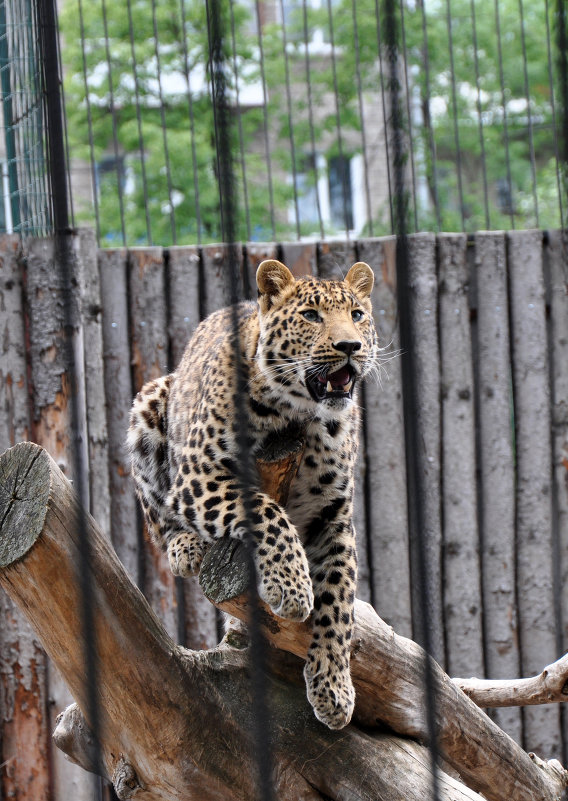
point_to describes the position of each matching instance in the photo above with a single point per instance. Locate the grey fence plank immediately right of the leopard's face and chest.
(384, 442)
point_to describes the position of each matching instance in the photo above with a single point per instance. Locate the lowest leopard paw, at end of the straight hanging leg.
(330, 692)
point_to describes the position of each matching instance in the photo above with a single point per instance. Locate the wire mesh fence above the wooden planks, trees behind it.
(482, 117)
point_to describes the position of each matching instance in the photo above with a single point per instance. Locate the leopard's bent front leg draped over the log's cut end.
(213, 501)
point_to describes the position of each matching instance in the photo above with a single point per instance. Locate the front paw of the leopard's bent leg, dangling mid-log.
(285, 584)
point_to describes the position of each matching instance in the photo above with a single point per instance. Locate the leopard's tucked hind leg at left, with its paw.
(147, 441)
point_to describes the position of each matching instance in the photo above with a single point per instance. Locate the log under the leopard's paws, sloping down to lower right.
(387, 672)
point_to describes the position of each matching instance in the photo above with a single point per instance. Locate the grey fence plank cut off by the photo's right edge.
(557, 268)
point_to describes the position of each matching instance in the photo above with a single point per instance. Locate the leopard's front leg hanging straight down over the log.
(334, 575)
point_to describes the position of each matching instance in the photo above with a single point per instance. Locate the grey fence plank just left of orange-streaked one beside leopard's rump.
(119, 390)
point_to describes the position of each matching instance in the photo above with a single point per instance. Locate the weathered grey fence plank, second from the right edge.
(534, 478)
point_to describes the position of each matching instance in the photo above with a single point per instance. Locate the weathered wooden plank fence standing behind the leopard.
(490, 321)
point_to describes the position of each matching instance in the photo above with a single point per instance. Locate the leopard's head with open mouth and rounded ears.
(317, 337)
